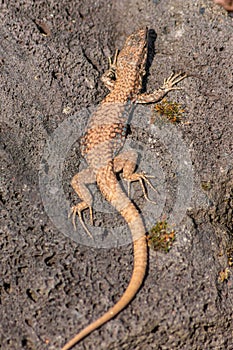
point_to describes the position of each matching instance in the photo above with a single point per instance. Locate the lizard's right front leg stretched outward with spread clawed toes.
(167, 86)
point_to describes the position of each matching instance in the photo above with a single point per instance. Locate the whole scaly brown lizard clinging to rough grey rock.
(101, 146)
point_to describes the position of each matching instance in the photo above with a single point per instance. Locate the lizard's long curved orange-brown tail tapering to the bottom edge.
(112, 191)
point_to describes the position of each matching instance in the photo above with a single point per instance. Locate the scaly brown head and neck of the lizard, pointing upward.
(132, 58)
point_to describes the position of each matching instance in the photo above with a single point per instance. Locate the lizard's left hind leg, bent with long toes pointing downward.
(79, 182)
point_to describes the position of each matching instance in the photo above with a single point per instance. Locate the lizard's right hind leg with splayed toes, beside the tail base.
(127, 161)
